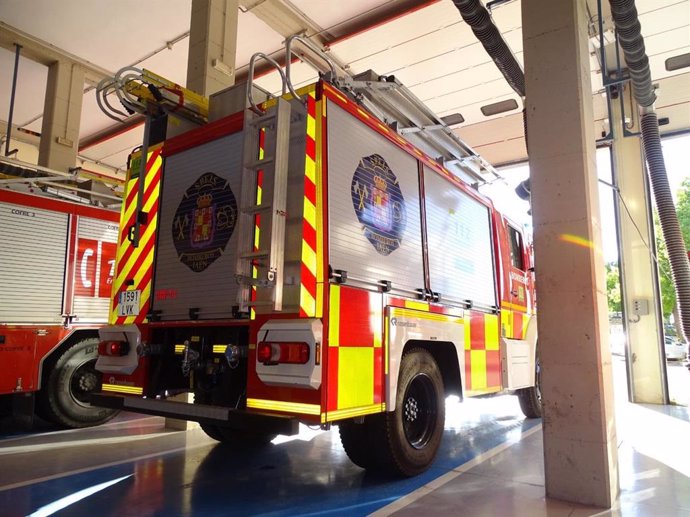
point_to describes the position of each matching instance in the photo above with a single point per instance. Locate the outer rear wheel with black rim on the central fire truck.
(413, 432)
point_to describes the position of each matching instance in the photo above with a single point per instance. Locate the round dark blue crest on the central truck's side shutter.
(379, 204)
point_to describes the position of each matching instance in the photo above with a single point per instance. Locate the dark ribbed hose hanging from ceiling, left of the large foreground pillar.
(478, 18)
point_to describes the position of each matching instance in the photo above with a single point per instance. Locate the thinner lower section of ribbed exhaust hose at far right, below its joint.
(670, 227)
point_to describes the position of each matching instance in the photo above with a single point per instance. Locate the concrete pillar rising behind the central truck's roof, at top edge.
(212, 45)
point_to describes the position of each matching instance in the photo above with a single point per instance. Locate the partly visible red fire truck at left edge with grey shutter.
(56, 270)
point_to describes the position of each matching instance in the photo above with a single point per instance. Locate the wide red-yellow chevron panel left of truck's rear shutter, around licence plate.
(136, 264)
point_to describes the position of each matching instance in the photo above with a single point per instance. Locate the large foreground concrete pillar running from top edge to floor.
(580, 452)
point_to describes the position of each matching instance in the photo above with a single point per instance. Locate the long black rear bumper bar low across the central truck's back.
(217, 415)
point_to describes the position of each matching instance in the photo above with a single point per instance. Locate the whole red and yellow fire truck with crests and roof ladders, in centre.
(305, 259)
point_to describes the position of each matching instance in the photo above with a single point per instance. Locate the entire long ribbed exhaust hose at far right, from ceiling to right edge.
(628, 28)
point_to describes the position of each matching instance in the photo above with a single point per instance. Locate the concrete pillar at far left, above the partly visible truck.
(61, 116)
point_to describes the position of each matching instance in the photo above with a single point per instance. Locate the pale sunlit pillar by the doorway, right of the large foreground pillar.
(639, 275)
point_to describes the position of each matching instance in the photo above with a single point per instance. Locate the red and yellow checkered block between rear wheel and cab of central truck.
(482, 353)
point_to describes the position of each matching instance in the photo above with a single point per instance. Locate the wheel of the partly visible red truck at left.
(62, 399)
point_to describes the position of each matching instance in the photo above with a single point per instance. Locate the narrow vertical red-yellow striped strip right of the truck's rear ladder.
(308, 276)
